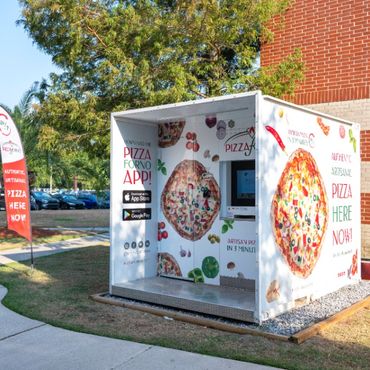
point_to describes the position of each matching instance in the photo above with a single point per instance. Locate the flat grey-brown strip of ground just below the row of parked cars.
(66, 218)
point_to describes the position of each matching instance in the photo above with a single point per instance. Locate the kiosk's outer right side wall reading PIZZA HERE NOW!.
(309, 206)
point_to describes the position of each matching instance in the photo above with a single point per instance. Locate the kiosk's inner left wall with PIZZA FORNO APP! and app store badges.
(133, 201)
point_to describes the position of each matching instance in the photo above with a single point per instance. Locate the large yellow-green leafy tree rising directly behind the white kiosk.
(119, 54)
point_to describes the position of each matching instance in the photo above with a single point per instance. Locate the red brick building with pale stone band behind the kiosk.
(334, 37)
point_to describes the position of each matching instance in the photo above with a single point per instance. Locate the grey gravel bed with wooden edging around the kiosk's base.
(290, 322)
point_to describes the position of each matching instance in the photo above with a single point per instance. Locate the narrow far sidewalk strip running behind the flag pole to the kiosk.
(39, 250)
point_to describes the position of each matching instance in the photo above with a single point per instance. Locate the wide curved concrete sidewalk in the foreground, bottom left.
(34, 345)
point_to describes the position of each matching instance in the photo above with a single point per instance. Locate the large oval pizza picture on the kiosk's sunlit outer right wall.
(300, 213)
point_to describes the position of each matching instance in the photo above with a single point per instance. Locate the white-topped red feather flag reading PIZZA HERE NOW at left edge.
(17, 196)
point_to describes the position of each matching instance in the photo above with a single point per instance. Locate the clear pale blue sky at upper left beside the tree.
(21, 62)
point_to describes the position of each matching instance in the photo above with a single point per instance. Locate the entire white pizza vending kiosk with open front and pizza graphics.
(240, 206)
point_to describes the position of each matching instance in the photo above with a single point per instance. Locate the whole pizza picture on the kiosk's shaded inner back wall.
(190, 199)
